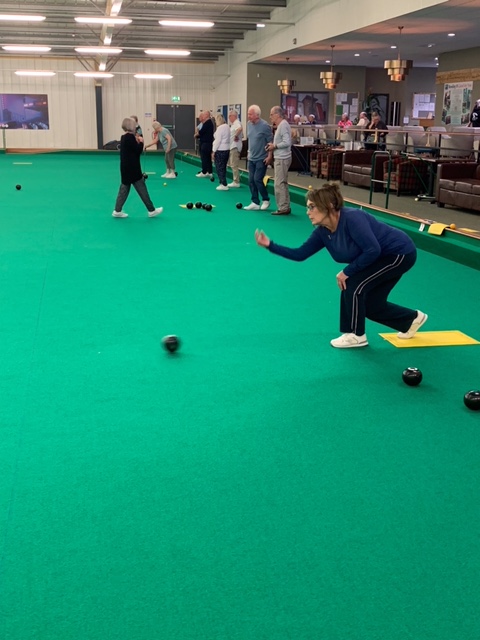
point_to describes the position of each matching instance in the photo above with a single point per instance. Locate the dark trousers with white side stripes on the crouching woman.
(367, 292)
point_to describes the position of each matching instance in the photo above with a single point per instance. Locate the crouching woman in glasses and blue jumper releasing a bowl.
(376, 254)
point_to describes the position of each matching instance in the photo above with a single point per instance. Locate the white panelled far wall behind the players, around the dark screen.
(71, 100)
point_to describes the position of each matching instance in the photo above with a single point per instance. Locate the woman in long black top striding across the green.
(131, 148)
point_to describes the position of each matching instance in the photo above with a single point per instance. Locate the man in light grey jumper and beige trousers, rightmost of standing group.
(282, 154)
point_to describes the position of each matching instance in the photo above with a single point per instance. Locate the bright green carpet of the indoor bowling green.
(257, 484)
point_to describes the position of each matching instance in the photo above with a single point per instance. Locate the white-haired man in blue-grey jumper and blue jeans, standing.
(259, 136)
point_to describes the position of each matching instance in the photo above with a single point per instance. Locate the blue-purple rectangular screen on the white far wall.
(20, 111)
